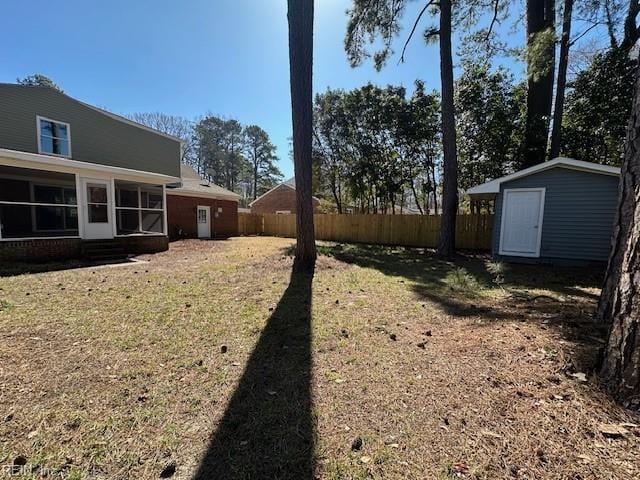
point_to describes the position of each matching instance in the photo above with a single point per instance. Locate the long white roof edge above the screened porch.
(38, 161)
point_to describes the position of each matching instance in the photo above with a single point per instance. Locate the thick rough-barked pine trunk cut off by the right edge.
(620, 299)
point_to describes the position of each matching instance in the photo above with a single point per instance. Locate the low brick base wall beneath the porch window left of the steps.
(40, 250)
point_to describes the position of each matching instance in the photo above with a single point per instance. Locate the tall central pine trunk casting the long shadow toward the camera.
(300, 16)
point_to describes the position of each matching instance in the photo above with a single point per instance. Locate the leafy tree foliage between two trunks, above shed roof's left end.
(490, 115)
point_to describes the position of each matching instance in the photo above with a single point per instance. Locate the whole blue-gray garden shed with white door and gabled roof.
(559, 212)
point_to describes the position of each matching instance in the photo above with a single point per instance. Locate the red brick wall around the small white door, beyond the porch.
(181, 215)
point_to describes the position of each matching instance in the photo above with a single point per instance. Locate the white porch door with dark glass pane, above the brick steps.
(97, 218)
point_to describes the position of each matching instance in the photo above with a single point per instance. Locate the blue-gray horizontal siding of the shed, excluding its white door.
(579, 212)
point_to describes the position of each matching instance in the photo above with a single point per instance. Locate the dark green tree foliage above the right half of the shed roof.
(597, 109)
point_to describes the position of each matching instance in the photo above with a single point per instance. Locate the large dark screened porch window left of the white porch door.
(34, 203)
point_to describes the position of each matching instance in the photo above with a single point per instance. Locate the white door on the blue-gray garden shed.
(521, 226)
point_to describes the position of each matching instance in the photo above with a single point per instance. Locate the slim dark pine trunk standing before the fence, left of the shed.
(447, 244)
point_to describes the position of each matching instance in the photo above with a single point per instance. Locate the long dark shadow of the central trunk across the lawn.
(267, 430)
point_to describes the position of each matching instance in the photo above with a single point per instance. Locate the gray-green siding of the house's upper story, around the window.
(95, 136)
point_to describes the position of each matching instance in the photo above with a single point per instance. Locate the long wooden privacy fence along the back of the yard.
(472, 231)
